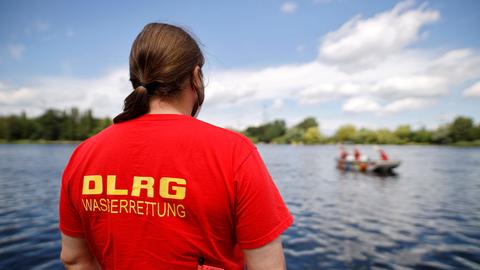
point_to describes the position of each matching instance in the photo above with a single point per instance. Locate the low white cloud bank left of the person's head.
(104, 95)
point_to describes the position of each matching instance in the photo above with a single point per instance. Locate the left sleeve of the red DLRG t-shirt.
(69, 219)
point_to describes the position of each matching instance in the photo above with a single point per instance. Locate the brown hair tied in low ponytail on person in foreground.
(162, 60)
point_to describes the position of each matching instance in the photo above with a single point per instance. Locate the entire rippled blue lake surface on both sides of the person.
(425, 217)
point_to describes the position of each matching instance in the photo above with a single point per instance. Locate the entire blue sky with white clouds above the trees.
(370, 63)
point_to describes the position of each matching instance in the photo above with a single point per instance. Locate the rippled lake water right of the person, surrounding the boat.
(426, 216)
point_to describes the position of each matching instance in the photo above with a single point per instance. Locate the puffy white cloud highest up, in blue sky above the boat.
(364, 41)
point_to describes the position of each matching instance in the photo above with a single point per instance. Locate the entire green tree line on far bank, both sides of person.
(74, 125)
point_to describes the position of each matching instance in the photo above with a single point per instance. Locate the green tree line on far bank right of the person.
(461, 131)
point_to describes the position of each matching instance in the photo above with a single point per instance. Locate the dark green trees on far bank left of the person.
(52, 125)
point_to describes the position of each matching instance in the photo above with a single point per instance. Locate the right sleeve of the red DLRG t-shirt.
(260, 212)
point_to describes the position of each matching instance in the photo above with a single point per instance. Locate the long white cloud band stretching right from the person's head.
(317, 82)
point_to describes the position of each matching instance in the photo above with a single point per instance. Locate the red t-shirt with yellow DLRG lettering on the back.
(161, 190)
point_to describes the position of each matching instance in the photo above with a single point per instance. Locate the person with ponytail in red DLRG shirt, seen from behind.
(161, 189)
